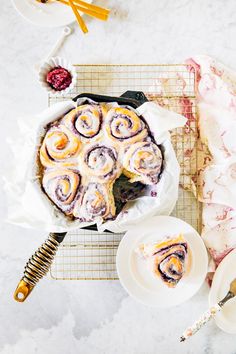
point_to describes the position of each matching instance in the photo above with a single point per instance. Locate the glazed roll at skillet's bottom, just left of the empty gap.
(95, 202)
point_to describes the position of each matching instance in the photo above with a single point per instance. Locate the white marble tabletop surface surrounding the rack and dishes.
(99, 317)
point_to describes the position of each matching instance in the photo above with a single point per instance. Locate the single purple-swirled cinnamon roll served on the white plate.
(170, 259)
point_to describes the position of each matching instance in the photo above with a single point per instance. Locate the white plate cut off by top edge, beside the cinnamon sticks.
(45, 15)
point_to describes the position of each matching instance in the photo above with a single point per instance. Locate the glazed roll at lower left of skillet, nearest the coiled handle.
(61, 186)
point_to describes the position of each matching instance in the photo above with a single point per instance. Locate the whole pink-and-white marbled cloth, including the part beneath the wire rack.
(215, 168)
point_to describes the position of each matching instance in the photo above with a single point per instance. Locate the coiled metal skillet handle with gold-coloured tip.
(38, 265)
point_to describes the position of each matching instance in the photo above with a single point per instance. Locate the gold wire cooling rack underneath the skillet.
(89, 255)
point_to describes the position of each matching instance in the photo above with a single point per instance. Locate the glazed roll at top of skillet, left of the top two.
(85, 120)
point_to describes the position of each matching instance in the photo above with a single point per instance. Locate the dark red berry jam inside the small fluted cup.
(59, 78)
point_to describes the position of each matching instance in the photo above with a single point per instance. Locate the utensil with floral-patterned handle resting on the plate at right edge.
(208, 315)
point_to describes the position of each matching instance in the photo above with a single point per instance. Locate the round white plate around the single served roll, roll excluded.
(137, 279)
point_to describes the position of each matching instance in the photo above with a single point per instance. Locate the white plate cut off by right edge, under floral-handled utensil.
(225, 273)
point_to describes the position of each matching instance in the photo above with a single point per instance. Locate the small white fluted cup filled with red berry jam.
(57, 76)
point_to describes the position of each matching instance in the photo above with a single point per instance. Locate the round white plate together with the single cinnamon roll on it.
(158, 270)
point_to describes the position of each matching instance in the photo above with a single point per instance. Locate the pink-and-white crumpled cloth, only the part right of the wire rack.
(216, 95)
